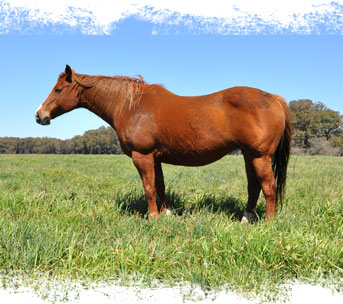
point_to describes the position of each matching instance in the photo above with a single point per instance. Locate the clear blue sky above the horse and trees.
(190, 57)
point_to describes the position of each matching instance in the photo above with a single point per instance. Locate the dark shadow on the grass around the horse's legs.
(232, 207)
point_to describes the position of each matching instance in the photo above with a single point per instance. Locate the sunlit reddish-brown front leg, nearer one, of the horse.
(145, 164)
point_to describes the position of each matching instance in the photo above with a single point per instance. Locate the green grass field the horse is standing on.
(82, 217)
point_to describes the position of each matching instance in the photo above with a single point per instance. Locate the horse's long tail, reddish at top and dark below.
(281, 156)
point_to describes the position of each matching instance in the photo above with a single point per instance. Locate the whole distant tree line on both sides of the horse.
(316, 130)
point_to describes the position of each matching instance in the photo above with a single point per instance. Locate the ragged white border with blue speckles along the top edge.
(238, 16)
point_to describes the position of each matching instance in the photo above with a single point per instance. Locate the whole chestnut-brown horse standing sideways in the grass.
(155, 126)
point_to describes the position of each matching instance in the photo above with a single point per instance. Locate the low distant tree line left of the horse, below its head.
(100, 141)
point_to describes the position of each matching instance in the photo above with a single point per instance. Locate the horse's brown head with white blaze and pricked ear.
(64, 97)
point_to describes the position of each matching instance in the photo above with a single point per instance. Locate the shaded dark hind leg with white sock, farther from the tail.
(254, 189)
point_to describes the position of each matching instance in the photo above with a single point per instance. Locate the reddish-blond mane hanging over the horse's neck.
(112, 89)
